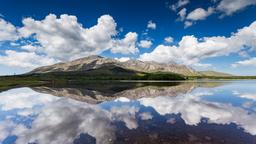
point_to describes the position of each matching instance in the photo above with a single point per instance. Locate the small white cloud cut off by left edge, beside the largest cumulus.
(8, 31)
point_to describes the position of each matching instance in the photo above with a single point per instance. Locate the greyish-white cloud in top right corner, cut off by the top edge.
(228, 7)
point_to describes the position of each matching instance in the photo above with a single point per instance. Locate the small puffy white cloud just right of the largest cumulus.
(127, 45)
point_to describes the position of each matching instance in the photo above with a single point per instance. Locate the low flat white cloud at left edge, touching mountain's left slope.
(27, 60)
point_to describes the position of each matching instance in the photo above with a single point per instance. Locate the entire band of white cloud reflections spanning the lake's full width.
(63, 120)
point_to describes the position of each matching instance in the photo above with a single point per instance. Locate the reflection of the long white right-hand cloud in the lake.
(192, 109)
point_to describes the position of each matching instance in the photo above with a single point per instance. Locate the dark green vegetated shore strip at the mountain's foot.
(63, 78)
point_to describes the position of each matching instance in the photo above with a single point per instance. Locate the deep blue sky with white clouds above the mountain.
(215, 35)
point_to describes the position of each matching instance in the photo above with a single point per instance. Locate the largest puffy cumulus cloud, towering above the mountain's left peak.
(65, 38)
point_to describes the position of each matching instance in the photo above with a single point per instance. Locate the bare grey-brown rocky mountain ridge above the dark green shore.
(97, 62)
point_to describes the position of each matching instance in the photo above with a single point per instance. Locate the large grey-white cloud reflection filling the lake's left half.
(57, 115)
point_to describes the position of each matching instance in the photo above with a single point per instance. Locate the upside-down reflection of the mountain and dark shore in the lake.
(97, 92)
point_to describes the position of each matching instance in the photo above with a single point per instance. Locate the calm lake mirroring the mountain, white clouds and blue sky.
(202, 112)
